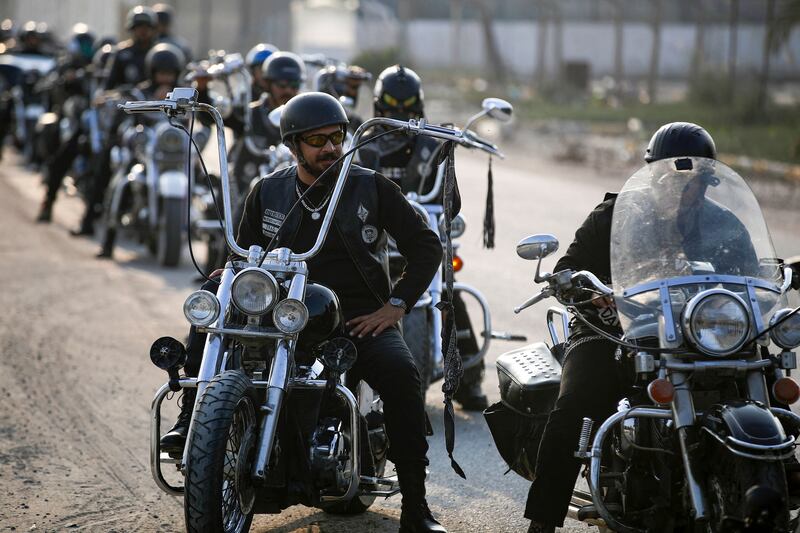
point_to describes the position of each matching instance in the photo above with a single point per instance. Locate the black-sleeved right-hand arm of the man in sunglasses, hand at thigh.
(415, 241)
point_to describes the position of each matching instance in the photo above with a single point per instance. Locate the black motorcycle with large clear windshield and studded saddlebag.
(701, 442)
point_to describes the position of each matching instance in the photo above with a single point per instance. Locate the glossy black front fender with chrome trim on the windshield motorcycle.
(748, 429)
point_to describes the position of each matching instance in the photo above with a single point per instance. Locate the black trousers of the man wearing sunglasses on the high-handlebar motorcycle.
(386, 364)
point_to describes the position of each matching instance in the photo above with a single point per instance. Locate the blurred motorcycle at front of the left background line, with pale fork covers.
(147, 196)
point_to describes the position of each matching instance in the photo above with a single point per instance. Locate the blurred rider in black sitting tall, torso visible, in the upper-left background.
(127, 65)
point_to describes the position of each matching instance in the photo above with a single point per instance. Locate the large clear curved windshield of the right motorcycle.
(681, 226)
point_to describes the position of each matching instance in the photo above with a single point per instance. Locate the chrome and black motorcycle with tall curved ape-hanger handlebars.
(277, 421)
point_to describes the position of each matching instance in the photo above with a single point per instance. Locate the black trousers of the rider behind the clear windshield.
(590, 387)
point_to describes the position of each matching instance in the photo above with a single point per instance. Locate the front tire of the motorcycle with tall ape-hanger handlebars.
(218, 492)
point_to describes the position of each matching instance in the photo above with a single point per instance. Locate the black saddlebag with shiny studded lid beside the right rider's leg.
(529, 382)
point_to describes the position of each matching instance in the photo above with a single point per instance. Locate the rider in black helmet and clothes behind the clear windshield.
(590, 384)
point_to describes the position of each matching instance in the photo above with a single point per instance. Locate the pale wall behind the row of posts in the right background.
(431, 44)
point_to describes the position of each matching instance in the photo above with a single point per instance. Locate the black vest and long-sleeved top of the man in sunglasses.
(370, 208)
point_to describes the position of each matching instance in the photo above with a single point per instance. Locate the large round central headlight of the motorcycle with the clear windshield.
(716, 322)
